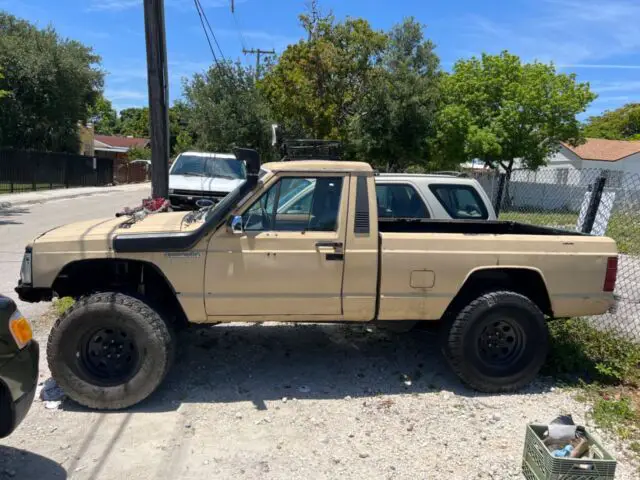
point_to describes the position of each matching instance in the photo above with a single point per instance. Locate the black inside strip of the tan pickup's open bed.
(471, 227)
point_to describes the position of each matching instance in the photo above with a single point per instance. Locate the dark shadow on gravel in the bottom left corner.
(16, 463)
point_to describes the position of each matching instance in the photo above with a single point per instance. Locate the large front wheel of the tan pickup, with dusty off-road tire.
(109, 351)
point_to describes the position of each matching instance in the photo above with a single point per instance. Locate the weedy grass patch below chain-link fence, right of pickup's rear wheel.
(606, 367)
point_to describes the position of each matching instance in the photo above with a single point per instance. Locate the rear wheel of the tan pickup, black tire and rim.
(498, 342)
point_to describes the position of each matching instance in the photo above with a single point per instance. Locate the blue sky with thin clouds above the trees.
(598, 40)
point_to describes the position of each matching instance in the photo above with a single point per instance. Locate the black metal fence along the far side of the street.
(22, 171)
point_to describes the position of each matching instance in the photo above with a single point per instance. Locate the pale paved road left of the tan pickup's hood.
(21, 224)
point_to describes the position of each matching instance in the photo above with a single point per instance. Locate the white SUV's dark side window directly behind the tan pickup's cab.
(399, 200)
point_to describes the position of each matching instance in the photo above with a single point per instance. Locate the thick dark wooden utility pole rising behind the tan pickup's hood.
(158, 81)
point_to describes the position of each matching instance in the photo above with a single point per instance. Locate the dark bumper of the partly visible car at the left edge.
(20, 377)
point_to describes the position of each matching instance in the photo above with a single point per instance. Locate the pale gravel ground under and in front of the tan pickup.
(279, 402)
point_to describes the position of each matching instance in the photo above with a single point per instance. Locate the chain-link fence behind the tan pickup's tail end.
(600, 202)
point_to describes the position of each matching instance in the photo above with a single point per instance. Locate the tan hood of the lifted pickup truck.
(96, 235)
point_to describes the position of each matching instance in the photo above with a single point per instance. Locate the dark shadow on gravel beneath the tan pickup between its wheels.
(259, 363)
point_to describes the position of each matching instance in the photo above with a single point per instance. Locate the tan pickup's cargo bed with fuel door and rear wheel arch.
(423, 264)
